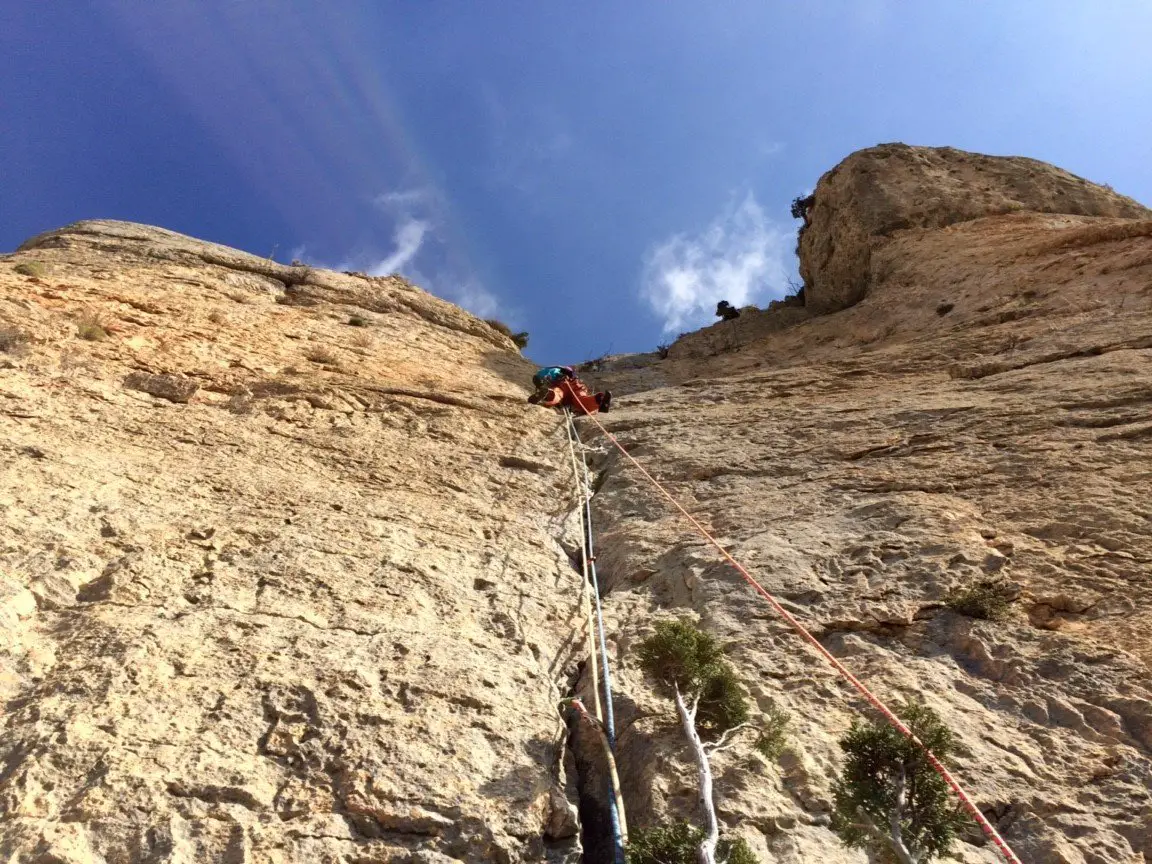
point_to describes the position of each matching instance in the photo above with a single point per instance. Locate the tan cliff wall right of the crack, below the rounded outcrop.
(984, 413)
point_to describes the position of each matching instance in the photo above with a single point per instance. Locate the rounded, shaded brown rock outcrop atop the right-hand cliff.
(878, 192)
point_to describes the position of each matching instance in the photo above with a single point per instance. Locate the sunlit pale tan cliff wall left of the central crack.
(313, 615)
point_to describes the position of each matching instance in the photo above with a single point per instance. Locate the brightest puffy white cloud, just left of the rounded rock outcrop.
(740, 257)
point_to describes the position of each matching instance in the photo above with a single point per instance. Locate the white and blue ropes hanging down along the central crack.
(609, 729)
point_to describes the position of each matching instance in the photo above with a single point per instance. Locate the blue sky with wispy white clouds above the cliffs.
(600, 175)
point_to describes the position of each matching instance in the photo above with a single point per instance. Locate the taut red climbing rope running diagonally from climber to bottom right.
(873, 699)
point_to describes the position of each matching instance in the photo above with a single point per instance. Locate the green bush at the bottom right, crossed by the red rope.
(890, 800)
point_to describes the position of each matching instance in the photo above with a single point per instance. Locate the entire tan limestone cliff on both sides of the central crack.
(325, 610)
